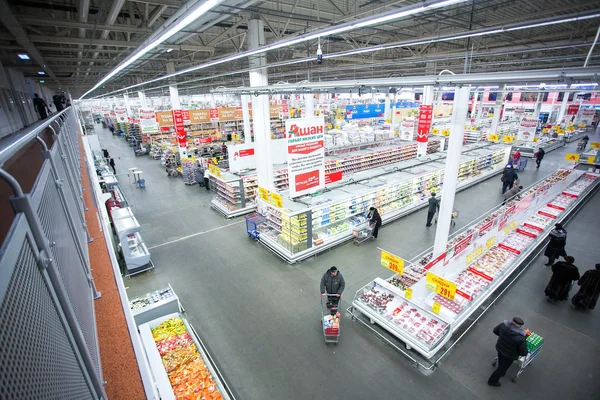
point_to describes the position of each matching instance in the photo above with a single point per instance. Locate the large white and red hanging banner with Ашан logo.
(306, 155)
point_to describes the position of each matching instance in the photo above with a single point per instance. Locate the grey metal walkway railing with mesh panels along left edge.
(48, 336)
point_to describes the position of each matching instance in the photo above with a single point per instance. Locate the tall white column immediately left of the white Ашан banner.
(260, 106)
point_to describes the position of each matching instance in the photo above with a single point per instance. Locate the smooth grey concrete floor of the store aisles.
(260, 317)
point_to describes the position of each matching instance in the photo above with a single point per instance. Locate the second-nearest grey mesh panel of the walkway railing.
(72, 272)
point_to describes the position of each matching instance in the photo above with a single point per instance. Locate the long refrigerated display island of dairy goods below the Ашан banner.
(336, 214)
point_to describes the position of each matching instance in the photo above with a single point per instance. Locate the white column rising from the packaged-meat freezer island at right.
(459, 117)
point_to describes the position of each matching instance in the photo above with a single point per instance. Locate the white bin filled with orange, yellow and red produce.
(192, 374)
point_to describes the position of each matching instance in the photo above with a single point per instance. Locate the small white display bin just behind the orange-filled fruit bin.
(154, 305)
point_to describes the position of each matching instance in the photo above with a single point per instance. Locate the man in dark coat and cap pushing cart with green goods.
(510, 345)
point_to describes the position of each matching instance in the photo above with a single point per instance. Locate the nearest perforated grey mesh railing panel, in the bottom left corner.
(37, 360)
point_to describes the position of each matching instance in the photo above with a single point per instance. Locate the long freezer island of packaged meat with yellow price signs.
(478, 260)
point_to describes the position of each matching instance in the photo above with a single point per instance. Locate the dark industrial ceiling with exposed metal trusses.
(80, 41)
